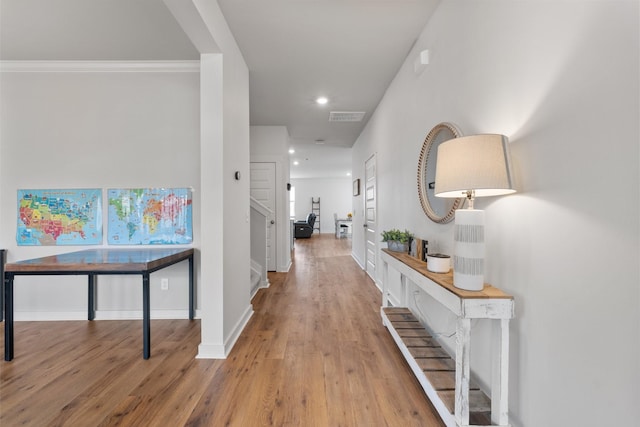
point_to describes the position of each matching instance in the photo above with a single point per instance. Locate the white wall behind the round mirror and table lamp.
(561, 80)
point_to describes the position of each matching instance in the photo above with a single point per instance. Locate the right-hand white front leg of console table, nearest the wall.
(500, 380)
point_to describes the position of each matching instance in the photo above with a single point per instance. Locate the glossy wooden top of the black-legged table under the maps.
(102, 261)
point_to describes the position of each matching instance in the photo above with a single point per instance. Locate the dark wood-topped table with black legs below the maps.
(94, 262)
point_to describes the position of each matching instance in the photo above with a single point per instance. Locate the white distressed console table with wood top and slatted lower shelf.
(447, 382)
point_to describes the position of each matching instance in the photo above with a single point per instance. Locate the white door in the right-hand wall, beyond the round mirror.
(370, 216)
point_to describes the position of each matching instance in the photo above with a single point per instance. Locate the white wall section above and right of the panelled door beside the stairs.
(270, 144)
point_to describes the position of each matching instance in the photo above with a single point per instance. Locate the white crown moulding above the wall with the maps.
(190, 66)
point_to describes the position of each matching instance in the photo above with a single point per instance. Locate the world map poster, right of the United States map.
(150, 216)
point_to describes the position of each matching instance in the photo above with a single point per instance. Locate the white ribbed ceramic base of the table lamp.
(468, 249)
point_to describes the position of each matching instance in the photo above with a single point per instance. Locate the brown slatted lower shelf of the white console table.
(432, 366)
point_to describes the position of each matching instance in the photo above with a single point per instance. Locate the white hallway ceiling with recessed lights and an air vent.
(346, 50)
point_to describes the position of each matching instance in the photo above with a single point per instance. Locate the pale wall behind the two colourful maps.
(96, 130)
